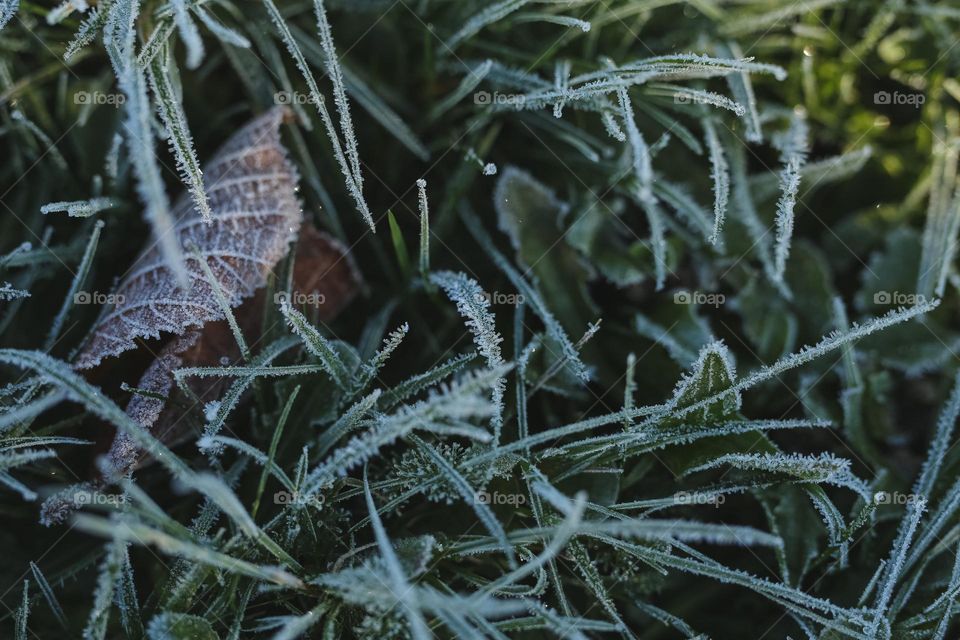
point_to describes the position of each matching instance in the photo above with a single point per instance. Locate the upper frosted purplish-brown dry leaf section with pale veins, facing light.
(252, 191)
